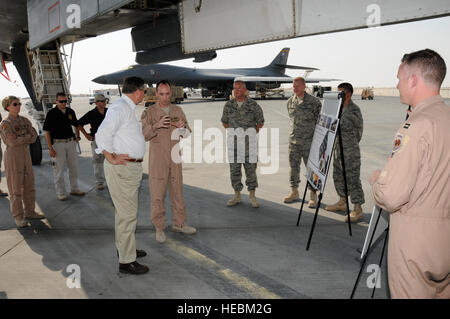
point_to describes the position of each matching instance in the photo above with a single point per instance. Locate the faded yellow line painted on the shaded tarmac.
(236, 279)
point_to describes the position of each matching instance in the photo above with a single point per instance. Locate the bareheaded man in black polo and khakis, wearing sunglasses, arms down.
(62, 142)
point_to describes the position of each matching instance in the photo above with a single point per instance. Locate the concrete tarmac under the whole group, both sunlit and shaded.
(238, 252)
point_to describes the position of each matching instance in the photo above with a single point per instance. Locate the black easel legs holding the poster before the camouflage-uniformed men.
(341, 96)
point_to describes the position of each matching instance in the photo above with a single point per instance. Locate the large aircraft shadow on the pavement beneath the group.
(260, 245)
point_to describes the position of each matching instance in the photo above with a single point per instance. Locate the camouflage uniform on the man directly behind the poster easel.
(351, 124)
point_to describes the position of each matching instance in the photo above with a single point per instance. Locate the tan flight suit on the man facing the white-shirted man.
(162, 170)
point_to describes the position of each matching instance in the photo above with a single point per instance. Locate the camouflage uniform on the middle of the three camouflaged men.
(303, 116)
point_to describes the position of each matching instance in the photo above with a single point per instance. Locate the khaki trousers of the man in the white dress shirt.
(123, 184)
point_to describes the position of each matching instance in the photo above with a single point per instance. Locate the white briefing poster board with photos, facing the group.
(323, 141)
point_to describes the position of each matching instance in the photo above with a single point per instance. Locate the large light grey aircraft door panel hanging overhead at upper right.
(216, 24)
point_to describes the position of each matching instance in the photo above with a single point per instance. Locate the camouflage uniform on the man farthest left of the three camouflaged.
(247, 116)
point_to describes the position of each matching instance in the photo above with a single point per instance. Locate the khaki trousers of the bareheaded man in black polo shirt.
(66, 154)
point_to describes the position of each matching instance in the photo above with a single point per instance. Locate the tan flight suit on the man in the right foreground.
(414, 186)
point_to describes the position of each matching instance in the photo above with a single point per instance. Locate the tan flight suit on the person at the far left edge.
(18, 133)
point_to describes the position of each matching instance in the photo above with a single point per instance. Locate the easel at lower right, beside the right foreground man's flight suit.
(374, 233)
